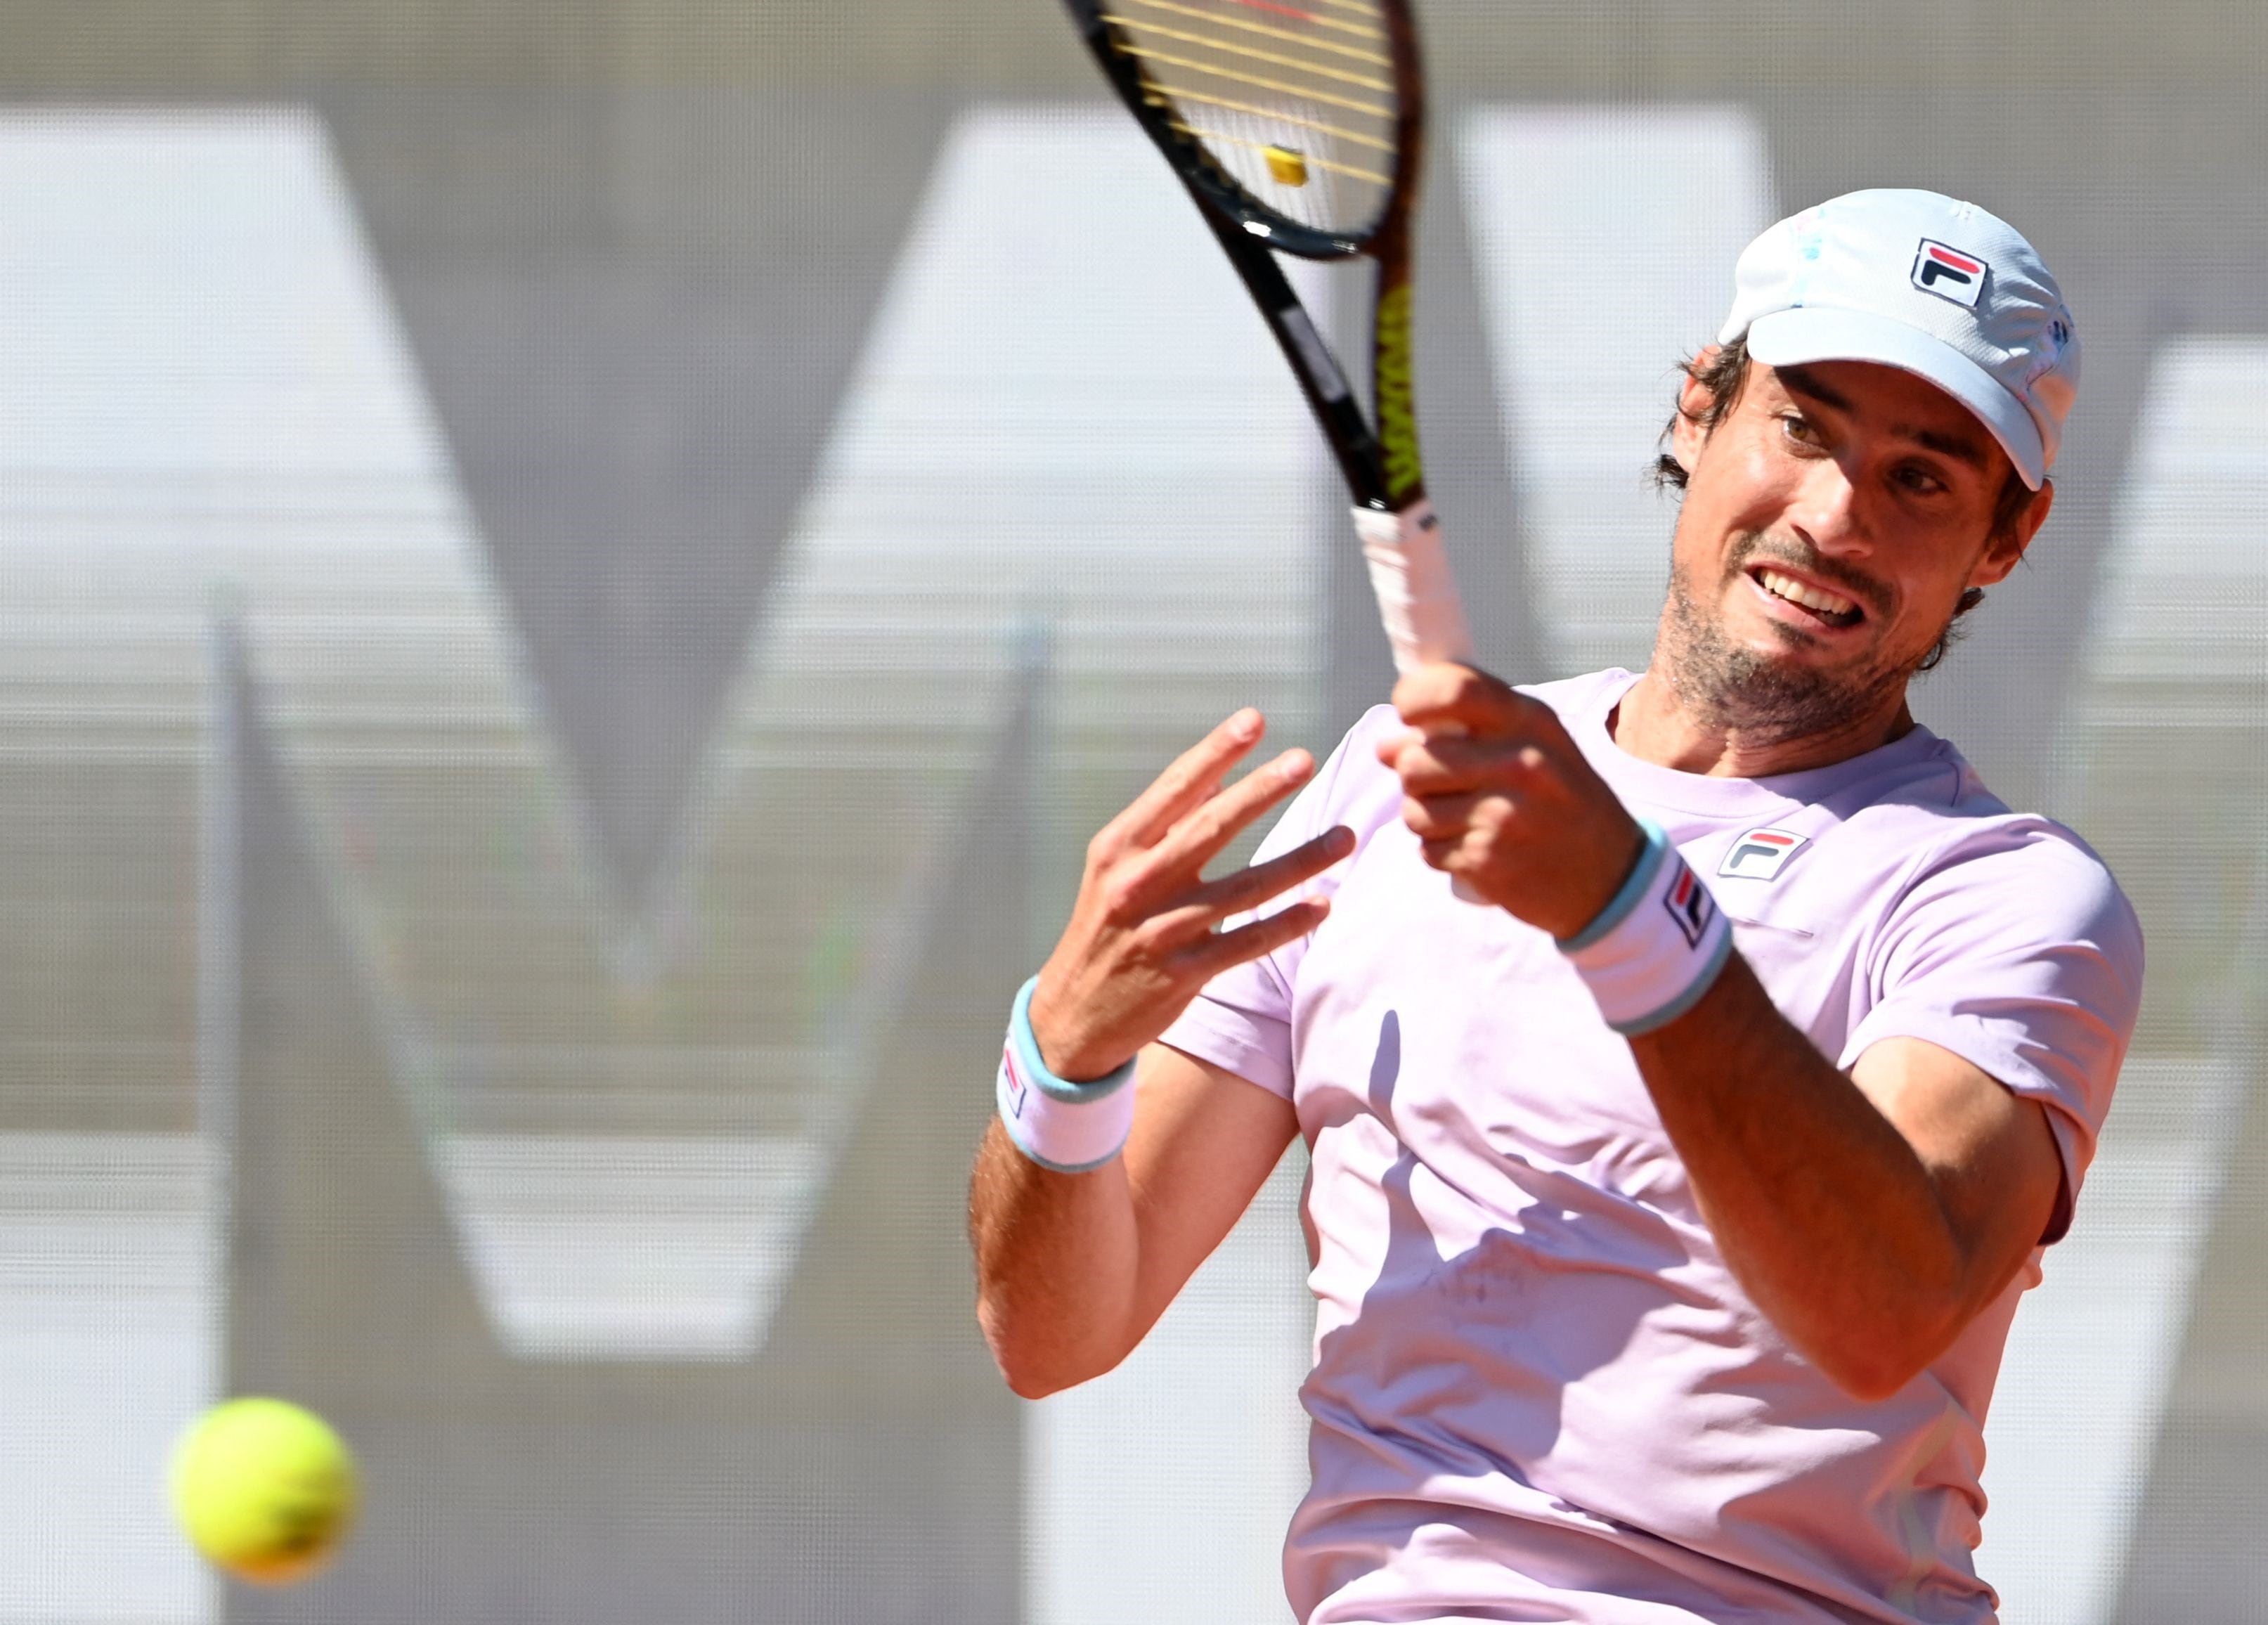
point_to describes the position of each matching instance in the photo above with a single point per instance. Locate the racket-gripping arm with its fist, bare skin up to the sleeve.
(1875, 1213)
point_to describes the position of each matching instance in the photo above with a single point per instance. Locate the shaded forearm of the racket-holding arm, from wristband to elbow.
(1820, 1204)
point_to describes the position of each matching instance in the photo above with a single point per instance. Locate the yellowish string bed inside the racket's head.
(1292, 99)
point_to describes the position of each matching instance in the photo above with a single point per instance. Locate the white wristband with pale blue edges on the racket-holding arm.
(1659, 943)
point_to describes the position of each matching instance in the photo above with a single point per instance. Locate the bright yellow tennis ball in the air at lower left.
(264, 1490)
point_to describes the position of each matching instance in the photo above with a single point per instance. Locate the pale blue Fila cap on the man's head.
(1927, 285)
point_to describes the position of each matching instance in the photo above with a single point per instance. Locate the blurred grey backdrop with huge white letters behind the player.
(652, 725)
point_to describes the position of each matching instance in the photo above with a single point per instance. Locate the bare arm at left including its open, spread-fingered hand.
(1076, 1268)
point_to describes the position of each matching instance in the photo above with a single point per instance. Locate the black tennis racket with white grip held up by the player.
(1298, 126)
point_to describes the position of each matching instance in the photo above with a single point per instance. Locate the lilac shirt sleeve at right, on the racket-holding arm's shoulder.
(2026, 961)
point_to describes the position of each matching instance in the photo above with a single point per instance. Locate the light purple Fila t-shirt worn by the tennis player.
(1539, 1392)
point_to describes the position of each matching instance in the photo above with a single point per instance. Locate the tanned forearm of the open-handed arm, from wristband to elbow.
(1056, 1265)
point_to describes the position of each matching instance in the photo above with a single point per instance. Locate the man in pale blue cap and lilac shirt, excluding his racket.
(1693, 1066)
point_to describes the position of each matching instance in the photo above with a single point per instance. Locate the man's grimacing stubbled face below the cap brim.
(1829, 530)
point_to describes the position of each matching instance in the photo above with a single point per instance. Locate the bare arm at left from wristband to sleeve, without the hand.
(1074, 1270)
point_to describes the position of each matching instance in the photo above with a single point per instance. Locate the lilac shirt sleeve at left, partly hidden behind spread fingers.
(1242, 1022)
